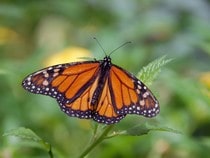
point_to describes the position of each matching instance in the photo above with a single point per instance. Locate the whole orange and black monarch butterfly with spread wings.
(97, 90)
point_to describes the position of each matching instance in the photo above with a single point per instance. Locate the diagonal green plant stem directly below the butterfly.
(96, 141)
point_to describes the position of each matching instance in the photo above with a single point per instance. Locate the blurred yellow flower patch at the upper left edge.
(7, 35)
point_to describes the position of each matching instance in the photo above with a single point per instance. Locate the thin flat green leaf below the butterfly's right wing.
(145, 129)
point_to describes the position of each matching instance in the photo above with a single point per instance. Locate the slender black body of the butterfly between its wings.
(105, 66)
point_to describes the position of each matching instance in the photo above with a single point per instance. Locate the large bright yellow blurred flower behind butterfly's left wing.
(67, 55)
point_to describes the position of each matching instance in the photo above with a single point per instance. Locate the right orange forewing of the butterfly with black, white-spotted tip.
(130, 96)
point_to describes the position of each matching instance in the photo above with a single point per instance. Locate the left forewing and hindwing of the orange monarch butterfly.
(71, 84)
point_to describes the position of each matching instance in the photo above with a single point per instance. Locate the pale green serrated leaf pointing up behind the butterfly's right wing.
(149, 73)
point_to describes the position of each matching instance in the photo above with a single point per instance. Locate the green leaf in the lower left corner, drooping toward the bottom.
(29, 135)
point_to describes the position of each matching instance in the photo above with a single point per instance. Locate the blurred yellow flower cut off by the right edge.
(205, 80)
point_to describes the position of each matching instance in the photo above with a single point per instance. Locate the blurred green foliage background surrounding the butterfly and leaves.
(33, 31)
